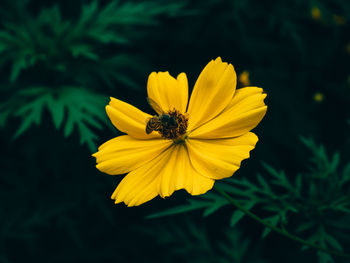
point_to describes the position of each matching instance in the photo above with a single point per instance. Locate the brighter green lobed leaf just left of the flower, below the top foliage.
(84, 110)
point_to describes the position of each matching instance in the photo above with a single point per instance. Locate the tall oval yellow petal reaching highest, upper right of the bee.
(212, 92)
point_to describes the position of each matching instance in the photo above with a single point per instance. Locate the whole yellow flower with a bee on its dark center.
(191, 143)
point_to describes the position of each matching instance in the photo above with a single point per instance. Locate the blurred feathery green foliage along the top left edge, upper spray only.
(64, 46)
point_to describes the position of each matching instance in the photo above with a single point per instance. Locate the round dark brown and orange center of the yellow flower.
(173, 125)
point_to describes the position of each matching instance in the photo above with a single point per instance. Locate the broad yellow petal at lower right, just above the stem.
(220, 158)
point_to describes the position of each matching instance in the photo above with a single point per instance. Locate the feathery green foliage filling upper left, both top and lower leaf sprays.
(68, 59)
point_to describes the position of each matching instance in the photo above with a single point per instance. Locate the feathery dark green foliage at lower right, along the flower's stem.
(313, 204)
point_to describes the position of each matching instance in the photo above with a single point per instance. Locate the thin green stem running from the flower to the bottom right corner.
(279, 230)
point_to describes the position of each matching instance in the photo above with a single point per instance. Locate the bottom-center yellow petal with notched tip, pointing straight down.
(180, 174)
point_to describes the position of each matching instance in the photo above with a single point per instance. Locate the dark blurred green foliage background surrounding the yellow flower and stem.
(60, 61)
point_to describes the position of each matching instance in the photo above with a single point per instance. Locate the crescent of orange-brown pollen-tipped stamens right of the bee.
(177, 132)
